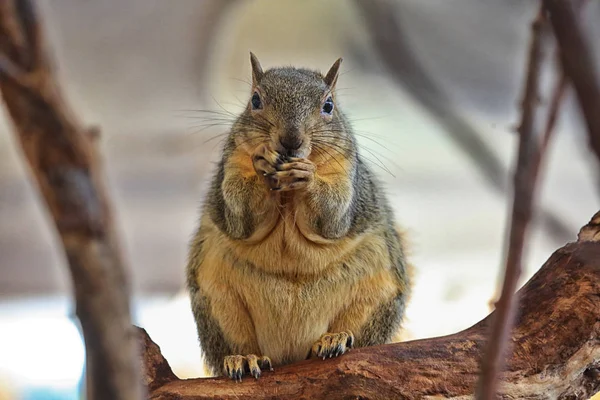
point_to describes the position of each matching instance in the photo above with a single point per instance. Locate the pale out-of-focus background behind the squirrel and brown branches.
(432, 88)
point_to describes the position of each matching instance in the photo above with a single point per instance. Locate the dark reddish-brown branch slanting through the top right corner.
(578, 63)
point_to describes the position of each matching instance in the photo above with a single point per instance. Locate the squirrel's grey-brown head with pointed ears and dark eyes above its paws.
(294, 109)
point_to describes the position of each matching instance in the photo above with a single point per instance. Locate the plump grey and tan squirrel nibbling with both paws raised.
(296, 254)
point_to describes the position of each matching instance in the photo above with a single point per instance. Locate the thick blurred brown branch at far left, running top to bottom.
(61, 156)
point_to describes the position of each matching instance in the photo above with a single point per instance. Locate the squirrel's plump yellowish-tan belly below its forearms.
(281, 314)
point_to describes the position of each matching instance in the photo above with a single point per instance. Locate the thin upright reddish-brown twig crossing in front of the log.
(524, 189)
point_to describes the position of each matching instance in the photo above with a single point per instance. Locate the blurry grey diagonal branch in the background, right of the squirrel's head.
(391, 43)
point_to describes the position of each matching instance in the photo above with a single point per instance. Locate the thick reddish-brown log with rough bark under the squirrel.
(555, 350)
